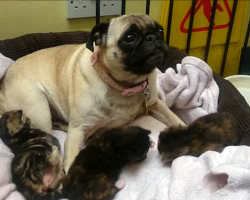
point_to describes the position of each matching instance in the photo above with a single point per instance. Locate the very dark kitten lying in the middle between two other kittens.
(95, 171)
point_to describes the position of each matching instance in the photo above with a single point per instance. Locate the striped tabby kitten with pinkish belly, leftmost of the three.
(37, 164)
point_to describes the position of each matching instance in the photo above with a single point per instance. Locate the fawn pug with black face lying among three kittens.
(106, 82)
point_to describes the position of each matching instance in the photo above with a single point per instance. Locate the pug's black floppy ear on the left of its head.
(98, 35)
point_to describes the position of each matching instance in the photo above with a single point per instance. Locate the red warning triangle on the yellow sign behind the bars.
(206, 7)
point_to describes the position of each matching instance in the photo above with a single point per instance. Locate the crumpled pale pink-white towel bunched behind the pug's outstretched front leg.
(191, 92)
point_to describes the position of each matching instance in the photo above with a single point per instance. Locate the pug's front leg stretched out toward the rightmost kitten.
(160, 111)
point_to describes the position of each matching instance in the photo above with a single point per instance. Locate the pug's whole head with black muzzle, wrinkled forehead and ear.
(130, 43)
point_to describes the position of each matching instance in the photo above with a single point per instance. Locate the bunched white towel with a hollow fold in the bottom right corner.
(212, 176)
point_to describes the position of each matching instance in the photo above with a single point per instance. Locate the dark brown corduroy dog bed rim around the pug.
(230, 100)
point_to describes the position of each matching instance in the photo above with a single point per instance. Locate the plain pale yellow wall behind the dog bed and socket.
(23, 17)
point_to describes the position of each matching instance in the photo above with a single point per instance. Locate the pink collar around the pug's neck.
(110, 81)
